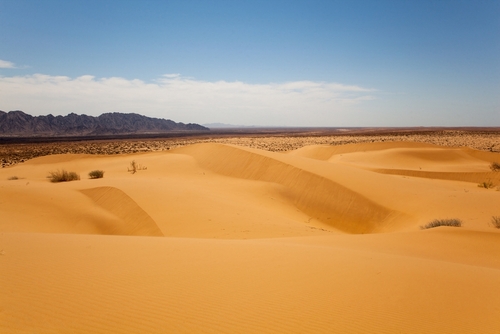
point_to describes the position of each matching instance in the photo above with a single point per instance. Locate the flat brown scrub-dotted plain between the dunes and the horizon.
(12, 154)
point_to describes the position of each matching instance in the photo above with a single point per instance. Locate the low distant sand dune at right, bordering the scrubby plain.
(413, 159)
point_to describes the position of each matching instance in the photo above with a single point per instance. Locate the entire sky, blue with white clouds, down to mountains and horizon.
(281, 63)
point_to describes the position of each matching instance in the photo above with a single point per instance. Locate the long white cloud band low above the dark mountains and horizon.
(299, 103)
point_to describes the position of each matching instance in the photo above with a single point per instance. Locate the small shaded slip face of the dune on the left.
(133, 219)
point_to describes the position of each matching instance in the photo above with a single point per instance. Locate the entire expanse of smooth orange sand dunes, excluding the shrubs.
(214, 238)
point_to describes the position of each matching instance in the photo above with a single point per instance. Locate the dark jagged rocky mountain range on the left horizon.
(19, 124)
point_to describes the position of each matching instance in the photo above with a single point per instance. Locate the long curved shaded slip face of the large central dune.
(317, 196)
